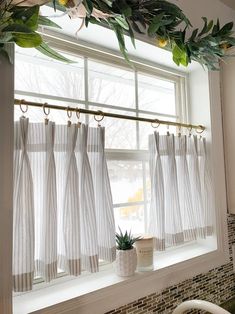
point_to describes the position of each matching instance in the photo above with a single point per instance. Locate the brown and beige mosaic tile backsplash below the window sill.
(217, 286)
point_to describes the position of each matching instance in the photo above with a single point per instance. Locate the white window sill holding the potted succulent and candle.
(88, 292)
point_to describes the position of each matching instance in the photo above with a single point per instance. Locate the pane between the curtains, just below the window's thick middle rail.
(126, 179)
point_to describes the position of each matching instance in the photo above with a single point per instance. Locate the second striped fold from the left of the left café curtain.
(42, 161)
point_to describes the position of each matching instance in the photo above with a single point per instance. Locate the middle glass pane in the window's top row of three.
(111, 85)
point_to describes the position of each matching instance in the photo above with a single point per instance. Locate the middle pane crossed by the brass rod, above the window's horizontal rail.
(119, 133)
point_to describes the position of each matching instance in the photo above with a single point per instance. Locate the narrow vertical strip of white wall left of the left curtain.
(6, 183)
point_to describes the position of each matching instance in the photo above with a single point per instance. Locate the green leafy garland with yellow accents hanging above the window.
(159, 19)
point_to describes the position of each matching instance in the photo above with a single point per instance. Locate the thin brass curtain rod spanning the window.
(199, 128)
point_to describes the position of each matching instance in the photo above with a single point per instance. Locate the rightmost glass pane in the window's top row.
(156, 95)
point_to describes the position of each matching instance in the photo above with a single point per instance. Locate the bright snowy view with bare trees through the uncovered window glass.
(94, 85)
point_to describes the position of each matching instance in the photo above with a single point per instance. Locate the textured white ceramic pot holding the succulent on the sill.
(126, 262)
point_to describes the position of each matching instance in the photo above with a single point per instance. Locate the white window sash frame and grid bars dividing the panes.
(181, 113)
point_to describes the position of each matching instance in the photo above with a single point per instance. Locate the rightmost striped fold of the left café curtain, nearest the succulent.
(103, 196)
